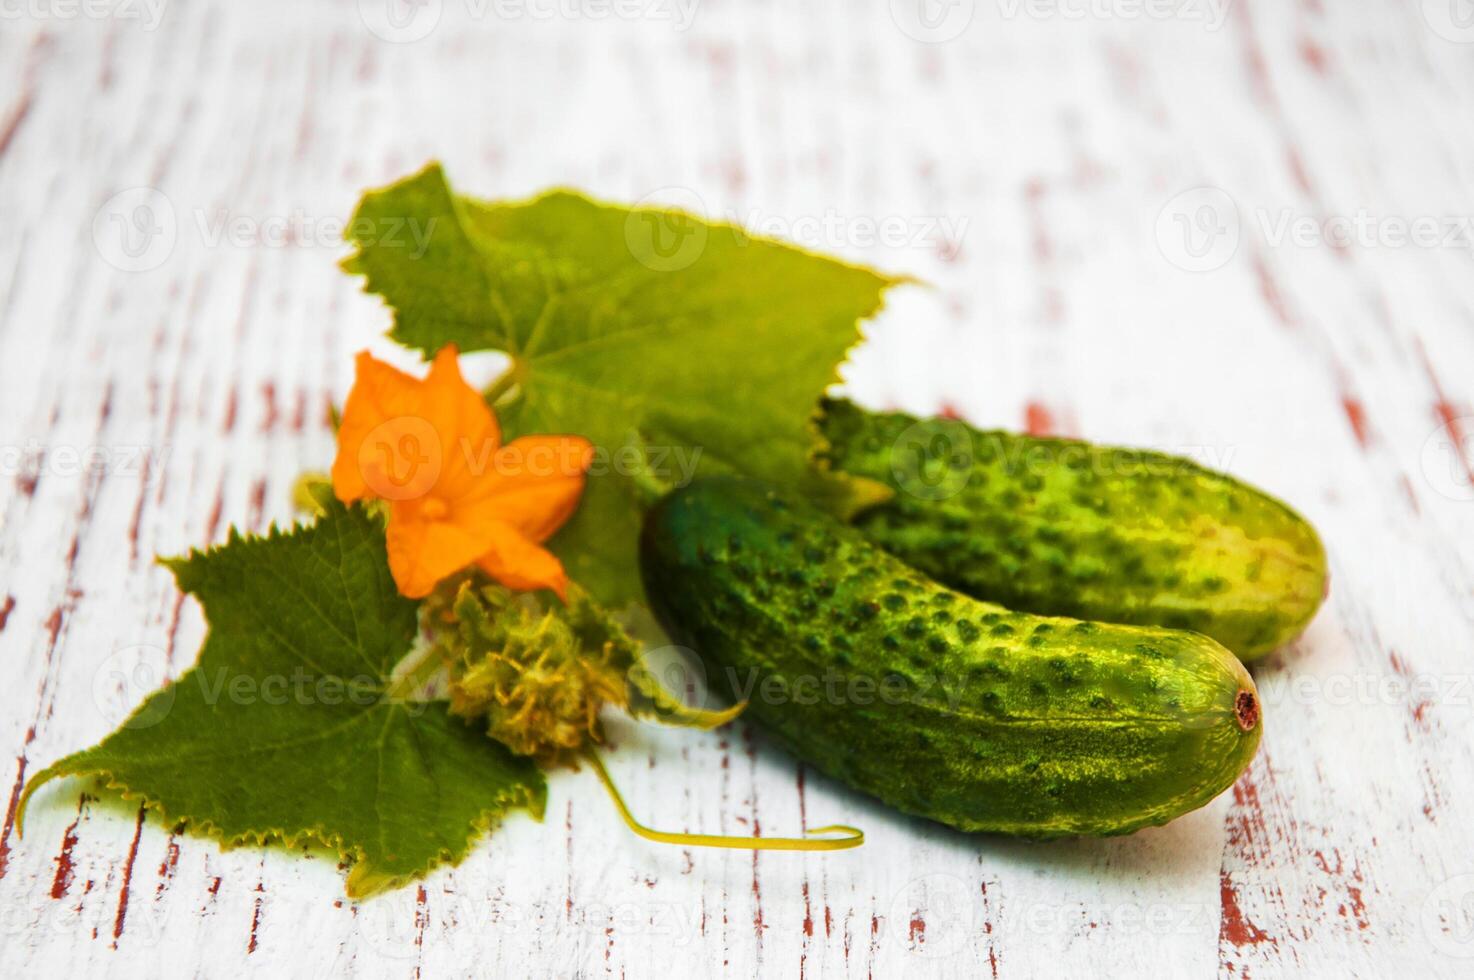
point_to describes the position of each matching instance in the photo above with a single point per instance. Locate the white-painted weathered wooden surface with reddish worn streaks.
(1028, 160)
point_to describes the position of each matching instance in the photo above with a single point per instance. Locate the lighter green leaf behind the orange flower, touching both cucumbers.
(615, 318)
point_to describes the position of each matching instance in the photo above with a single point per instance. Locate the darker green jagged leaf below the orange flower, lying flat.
(282, 732)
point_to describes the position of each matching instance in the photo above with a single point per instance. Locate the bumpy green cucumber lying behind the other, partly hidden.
(1066, 528)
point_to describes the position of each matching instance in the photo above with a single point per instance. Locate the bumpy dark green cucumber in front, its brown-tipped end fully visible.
(938, 704)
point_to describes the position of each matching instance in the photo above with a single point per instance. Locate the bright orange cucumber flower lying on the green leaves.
(456, 494)
